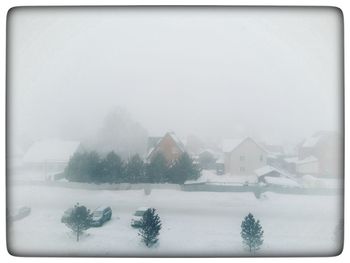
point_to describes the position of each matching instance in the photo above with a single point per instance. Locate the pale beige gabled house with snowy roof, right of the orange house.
(243, 156)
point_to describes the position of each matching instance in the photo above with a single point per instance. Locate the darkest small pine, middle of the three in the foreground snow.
(150, 227)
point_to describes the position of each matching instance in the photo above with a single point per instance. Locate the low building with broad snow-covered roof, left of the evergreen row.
(49, 157)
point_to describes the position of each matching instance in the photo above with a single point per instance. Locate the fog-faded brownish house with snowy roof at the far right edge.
(326, 147)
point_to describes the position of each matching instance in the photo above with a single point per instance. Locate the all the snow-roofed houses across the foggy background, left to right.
(320, 155)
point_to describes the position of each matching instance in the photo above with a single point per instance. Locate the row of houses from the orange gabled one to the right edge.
(319, 156)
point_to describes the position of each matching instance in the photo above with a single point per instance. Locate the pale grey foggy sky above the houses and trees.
(215, 72)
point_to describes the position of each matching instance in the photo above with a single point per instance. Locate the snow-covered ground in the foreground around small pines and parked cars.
(194, 223)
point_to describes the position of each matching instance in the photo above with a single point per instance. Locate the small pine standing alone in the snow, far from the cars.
(252, 233)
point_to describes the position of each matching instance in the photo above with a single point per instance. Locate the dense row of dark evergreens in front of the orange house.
(91, 167)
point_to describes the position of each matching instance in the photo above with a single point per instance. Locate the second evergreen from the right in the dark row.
(157, 169)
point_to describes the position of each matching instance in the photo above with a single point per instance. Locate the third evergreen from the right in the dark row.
(135, 170)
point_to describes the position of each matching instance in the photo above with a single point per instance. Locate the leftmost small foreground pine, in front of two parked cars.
(79, 220)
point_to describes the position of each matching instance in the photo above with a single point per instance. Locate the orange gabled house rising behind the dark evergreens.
(169, 145)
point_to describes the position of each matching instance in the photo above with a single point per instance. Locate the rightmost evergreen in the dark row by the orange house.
(182, 170)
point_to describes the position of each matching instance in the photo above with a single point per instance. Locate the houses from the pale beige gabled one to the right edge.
(320, 155)
